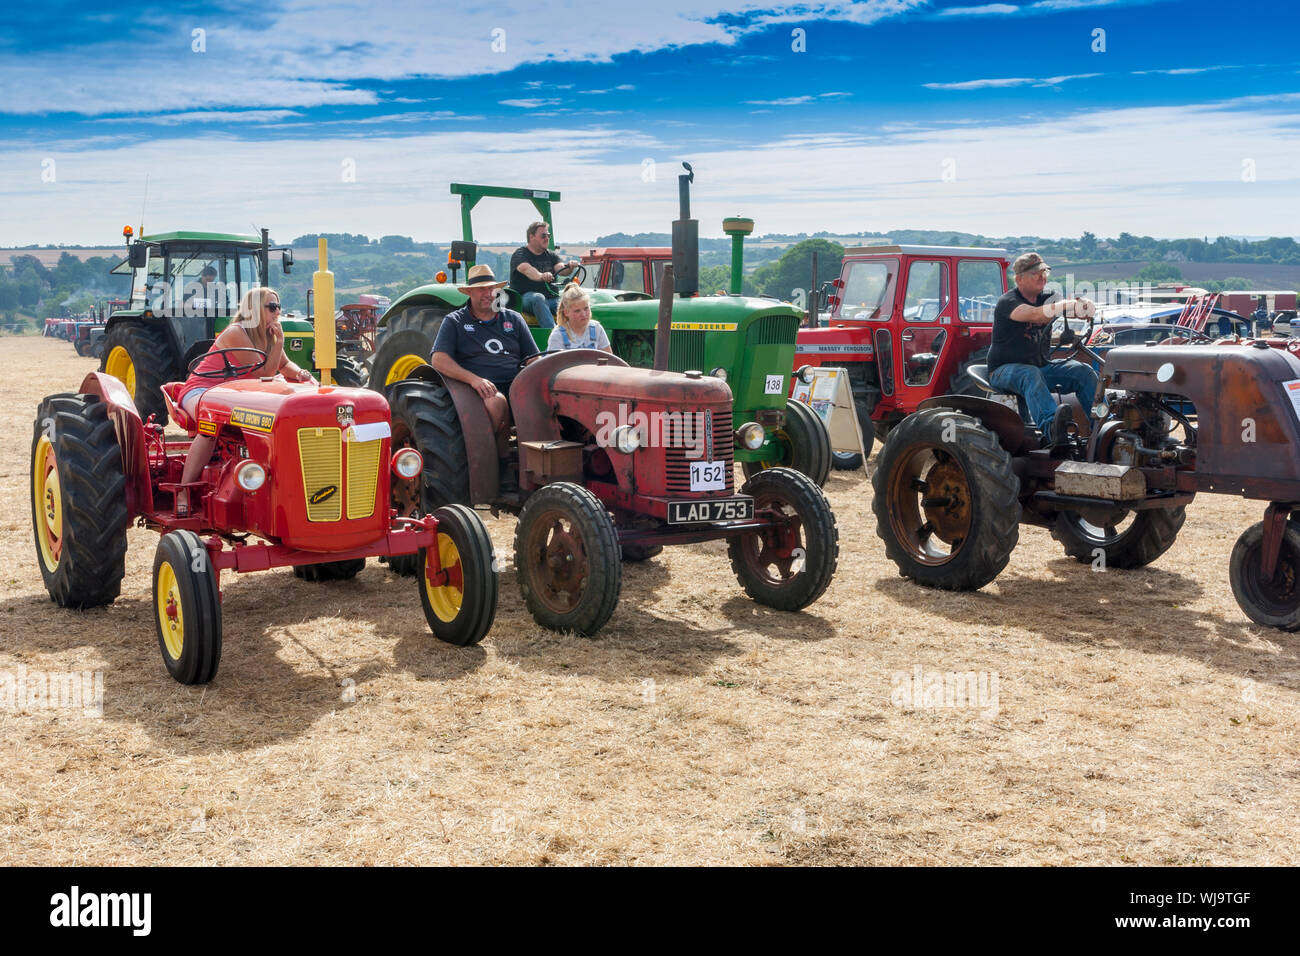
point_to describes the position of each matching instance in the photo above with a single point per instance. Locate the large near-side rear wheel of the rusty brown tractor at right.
(947, 501)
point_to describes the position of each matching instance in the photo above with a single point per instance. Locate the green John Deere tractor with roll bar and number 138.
(749, 343)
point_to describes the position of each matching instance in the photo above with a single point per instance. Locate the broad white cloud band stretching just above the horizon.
(1104, 178)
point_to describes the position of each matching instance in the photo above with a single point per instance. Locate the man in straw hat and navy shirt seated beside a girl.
(483, 347)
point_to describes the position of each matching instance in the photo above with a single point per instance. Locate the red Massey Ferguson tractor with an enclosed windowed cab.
(907, 322)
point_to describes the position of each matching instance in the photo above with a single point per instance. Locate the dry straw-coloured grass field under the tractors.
(1139, 717)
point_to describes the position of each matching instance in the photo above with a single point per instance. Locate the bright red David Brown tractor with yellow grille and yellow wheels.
(300, 477)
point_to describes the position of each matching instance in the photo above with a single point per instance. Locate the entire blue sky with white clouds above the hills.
(1047, 118)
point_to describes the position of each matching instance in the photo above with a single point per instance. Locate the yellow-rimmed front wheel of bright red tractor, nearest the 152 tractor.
(461, 611)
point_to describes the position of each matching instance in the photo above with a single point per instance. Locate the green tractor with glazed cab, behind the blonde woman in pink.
(185, 287)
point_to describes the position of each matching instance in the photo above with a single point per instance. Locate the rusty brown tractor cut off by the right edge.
(955, 479)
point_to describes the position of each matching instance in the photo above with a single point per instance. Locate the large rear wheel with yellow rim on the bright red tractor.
(79, 501)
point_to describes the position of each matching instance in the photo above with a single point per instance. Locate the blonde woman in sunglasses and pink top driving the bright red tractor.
(255, 326)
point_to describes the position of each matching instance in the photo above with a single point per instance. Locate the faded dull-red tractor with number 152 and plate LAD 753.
(610, 461)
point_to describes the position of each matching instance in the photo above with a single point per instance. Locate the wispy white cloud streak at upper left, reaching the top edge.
(255, 66)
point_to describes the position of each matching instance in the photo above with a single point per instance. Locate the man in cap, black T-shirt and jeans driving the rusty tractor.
(1019, 356)
